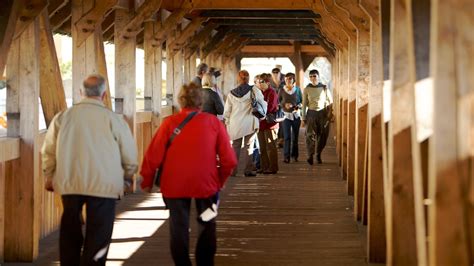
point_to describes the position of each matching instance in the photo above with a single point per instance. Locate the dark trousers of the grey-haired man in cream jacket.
(100, 215)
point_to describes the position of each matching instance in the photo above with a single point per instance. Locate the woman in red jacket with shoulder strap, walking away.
(191, 170)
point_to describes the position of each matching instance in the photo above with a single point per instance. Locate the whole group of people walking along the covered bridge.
(89, 150)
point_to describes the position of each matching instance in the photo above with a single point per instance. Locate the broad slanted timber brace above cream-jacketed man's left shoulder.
(52, 95)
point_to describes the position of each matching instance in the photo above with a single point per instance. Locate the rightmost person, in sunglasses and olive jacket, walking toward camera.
(317, 101)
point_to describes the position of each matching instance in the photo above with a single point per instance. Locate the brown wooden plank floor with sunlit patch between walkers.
(301, 216)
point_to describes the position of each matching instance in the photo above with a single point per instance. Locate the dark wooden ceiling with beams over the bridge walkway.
(249, 21)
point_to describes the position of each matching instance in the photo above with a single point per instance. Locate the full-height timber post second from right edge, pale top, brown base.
(408, 223)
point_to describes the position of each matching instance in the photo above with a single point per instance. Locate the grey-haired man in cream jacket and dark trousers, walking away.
(87, 152)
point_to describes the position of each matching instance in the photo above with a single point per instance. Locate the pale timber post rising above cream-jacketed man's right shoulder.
(125, 86)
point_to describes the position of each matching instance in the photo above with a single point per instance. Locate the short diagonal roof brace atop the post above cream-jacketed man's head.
(89, 21)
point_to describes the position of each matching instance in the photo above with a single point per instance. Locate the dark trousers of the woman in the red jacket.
(179, 231)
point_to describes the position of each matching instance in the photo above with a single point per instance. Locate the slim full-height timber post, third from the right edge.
(376, 240)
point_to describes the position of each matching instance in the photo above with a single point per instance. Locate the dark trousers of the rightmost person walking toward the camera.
(317, 130)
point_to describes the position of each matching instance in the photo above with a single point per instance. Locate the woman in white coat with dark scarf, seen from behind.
(242, 126)
